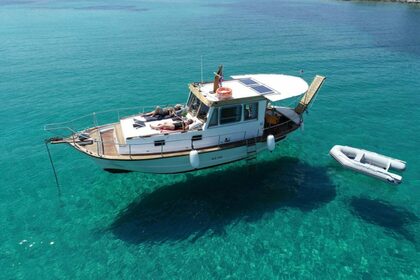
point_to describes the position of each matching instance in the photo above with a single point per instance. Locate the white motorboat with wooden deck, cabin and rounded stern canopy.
(219, 123)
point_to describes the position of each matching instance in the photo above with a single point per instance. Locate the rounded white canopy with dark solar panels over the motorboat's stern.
(274, 87)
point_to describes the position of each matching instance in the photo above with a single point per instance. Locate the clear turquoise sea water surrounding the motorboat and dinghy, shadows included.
(295, 214)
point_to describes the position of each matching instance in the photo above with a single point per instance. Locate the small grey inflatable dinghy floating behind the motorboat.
(368, 163)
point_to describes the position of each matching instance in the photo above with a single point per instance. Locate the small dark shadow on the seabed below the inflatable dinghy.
(393, 219)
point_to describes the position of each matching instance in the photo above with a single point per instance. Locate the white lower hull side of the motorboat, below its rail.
(179, 164)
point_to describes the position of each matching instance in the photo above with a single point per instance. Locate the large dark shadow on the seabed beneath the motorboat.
(208, 203)
